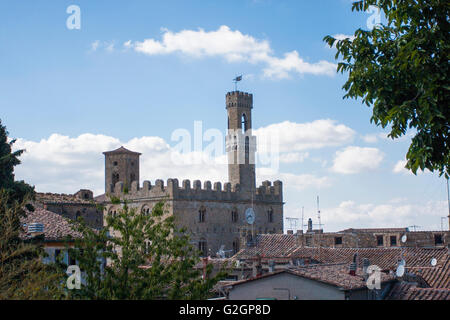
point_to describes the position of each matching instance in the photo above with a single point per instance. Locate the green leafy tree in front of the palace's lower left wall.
(130, 241)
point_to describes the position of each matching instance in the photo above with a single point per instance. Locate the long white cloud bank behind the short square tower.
(64, 164)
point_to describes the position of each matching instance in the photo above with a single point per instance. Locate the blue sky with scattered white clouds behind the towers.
(138, 70)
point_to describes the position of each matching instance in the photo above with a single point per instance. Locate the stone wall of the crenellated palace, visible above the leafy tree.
(185, 202)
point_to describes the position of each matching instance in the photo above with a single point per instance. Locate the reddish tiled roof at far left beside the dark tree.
(56, 227)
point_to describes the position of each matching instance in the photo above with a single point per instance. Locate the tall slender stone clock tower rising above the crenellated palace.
(240, 143)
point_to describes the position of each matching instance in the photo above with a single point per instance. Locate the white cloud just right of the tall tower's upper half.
(292, 136)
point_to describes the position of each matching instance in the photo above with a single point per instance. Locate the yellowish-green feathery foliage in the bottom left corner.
(22, 273)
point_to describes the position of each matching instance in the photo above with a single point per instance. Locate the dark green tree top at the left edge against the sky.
(18, 190)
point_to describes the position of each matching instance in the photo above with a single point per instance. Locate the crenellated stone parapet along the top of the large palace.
(173, 191)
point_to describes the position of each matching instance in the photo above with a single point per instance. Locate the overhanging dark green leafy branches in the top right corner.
(401, 69)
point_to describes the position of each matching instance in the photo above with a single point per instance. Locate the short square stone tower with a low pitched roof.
(121, 165)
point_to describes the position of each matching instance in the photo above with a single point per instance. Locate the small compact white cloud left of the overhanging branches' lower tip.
(356, 159)
